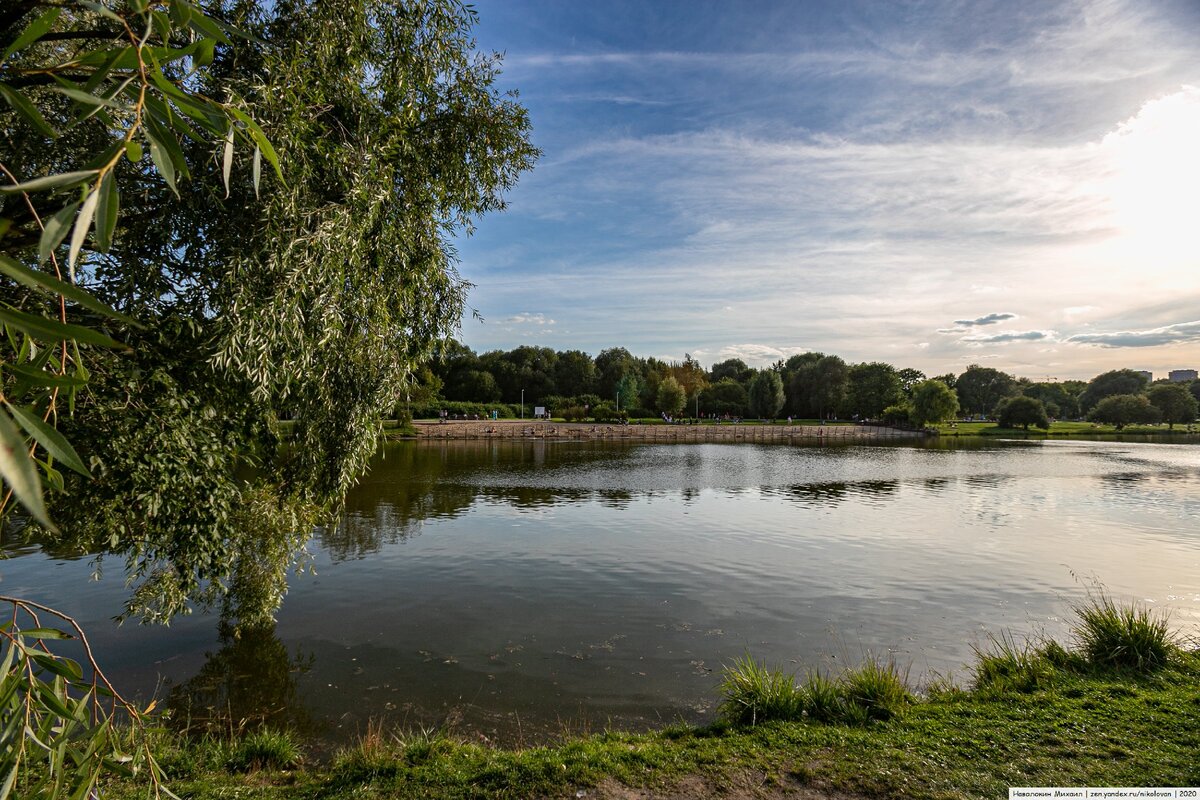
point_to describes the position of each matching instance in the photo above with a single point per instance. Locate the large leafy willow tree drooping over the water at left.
(310, 293)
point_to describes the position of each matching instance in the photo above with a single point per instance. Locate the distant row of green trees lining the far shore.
(616, 384)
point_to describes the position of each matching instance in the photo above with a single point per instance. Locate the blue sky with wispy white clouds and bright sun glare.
(928, 184)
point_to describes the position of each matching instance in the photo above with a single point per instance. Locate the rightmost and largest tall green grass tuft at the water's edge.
(1124, 637)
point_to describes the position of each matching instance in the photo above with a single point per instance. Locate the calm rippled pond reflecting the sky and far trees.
(521, 590)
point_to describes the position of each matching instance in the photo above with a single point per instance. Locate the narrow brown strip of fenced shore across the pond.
(587, 431)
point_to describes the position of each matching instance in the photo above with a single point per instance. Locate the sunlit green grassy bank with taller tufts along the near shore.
(1120, 707)
